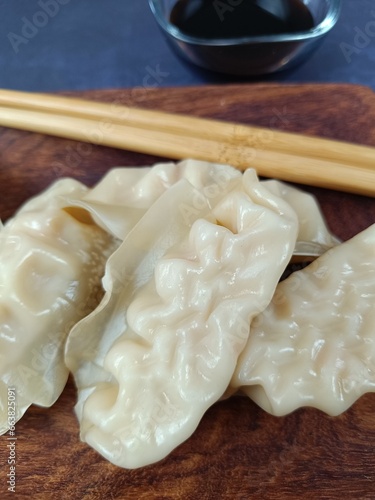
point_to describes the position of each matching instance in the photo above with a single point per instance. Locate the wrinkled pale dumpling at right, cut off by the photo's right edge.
(315, 343)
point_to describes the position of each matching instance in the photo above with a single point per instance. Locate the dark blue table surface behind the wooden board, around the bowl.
(49, 45)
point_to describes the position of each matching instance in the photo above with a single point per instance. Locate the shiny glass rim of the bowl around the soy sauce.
(317, 31)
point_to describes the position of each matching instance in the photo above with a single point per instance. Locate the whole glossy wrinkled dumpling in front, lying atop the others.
(181, 292)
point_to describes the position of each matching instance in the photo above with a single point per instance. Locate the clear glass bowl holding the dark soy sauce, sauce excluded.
(252, 55)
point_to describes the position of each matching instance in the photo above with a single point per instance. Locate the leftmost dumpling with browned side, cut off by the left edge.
(51, 265)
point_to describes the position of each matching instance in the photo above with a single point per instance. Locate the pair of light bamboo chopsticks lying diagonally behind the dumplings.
(289, 157)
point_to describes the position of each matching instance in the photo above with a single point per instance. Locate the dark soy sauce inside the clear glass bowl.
(240, 18)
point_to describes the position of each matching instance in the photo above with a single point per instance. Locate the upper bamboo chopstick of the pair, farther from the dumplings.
(235, 133)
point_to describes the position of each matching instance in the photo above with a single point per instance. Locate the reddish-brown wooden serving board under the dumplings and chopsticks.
(238, 450)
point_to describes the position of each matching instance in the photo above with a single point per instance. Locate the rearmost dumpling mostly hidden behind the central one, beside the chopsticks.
(122, 197)
